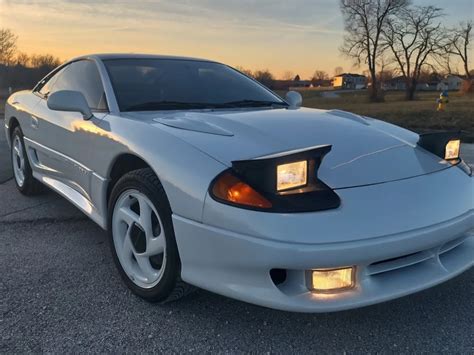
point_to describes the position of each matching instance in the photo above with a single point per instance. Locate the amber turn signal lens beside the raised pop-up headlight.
(230, 188)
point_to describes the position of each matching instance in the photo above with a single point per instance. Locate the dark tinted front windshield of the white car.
(174, 84)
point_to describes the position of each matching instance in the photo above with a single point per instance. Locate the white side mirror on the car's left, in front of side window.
(72, 101)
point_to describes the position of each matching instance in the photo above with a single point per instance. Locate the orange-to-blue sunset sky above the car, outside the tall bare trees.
(298, 35)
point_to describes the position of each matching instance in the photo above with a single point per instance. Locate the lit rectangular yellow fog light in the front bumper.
(333, 280)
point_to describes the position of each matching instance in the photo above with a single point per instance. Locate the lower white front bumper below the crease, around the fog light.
(239, 266)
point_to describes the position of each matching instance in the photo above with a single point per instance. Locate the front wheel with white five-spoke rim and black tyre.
(142, 238)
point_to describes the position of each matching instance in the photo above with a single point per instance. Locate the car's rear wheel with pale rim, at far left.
(22, 173)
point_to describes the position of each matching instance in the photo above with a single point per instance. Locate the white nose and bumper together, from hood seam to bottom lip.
(422, 253)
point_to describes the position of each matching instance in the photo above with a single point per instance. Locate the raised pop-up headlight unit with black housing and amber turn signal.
(283, 182)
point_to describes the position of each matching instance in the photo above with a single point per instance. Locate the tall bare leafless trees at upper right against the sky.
(409, 39)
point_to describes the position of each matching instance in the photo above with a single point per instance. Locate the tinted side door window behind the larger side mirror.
(84, 77)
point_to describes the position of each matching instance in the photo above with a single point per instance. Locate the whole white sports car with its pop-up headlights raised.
(204, 177)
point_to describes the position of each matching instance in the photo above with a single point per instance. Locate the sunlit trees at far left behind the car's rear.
(19, 70)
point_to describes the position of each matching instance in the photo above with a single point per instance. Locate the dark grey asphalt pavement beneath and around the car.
(60, 292)
